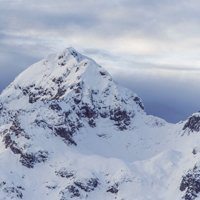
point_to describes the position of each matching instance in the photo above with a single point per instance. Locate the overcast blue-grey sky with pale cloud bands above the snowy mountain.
(150, 46)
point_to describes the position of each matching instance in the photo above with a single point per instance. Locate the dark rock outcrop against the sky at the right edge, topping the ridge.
(193, 123)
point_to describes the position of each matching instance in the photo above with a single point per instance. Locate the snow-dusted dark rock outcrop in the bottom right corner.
(191, 184)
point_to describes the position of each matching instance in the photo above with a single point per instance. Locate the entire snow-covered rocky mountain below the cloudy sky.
(69, 131)
